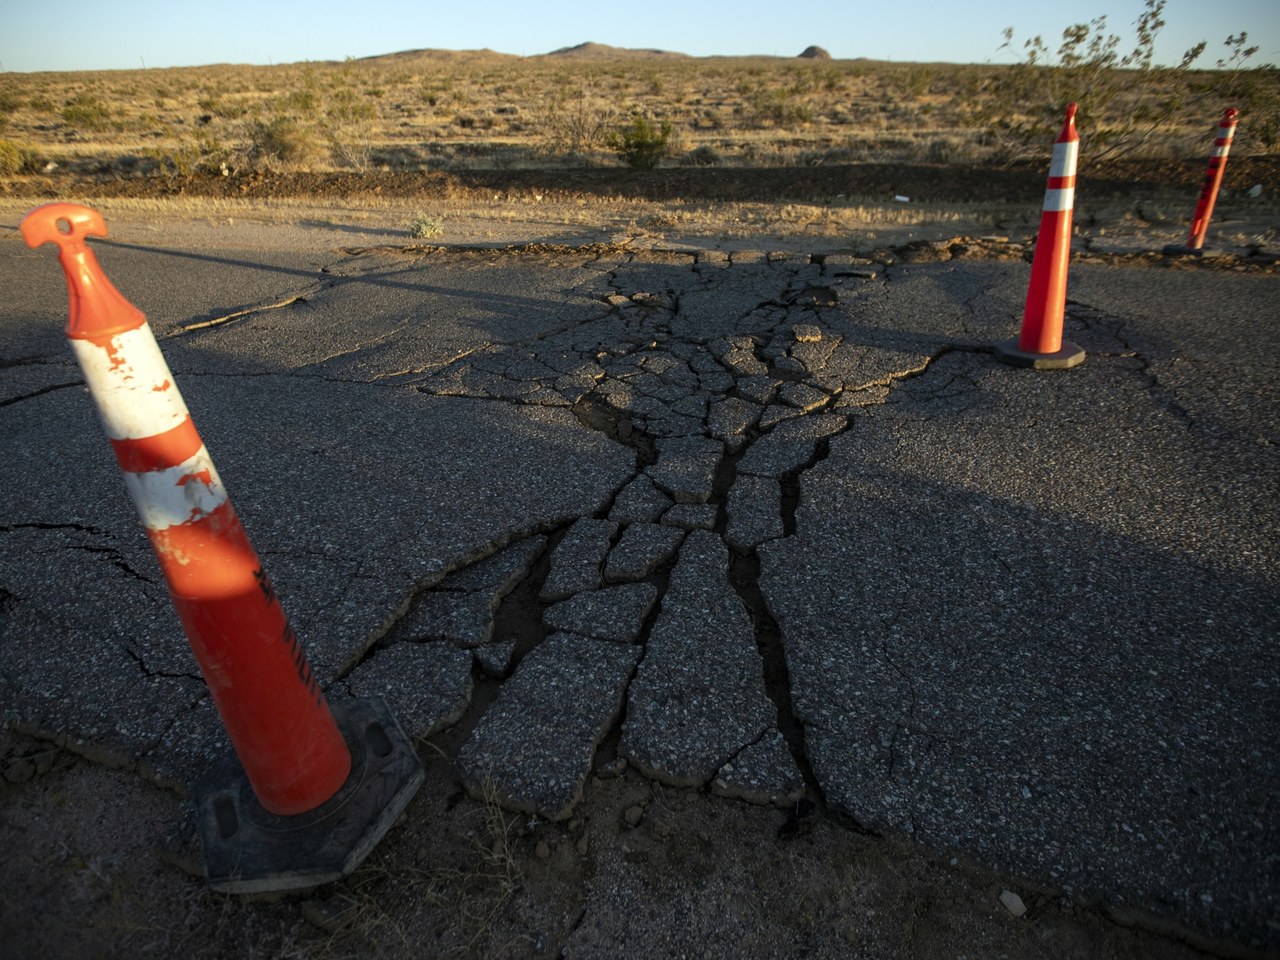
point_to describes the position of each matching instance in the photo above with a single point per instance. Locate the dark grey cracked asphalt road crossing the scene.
(762, 524)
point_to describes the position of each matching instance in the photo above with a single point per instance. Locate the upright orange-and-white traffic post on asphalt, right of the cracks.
(1041, 345)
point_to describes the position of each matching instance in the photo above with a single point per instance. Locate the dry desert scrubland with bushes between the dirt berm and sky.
(600, 108)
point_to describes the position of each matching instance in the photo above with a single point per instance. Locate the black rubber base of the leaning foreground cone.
(249, 851)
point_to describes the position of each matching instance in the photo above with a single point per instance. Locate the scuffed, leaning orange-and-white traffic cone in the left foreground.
(290, 746)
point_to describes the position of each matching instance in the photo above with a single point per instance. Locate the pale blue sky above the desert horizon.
(83, 35)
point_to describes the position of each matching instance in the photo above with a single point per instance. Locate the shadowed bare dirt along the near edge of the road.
(99, 865)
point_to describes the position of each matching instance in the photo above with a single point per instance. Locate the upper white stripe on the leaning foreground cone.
(132, 386)
